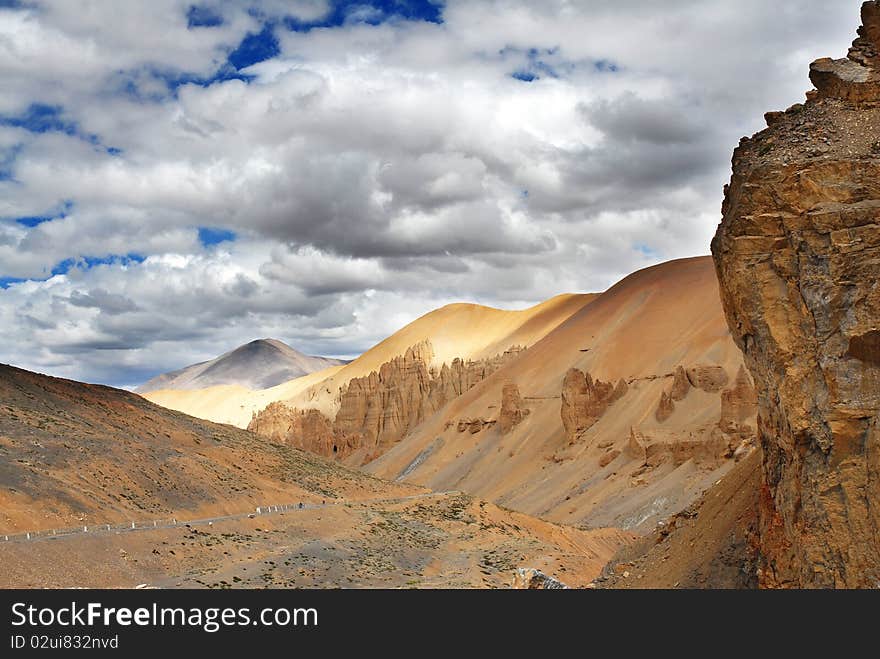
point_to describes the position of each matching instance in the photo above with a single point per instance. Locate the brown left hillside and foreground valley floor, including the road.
(84, 456)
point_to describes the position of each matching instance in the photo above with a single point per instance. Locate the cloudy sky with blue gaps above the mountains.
(177, 179)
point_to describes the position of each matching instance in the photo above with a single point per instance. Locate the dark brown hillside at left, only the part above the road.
(72, 453)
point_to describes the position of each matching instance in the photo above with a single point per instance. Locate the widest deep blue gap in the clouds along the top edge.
(371, 12)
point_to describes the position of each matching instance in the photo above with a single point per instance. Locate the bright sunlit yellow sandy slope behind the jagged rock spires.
(468, 331)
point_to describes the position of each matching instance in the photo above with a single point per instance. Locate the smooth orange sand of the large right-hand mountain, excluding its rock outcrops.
(641, 328)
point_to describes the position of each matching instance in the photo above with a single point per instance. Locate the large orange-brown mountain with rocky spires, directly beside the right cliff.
(567, 429)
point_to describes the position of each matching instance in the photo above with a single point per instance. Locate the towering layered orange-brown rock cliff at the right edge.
(798, 261)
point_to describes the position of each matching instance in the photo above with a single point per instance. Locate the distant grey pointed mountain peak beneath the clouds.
(259, 364)
